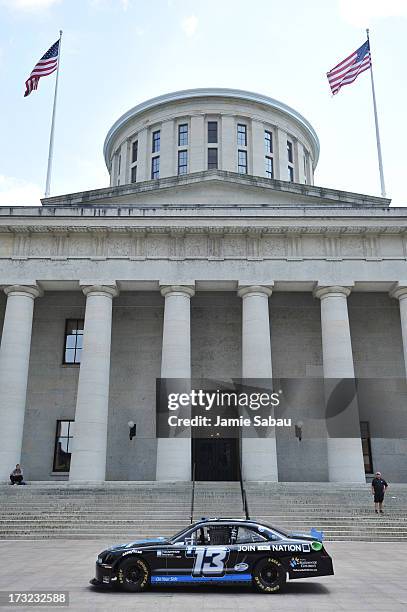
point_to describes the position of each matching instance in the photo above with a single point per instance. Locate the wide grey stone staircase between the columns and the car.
(122, 511)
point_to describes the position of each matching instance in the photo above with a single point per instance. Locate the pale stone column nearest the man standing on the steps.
(345, 459)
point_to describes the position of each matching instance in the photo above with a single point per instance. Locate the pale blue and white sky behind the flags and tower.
(117, 53)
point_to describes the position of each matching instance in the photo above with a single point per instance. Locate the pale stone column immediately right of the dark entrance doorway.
(259, 455)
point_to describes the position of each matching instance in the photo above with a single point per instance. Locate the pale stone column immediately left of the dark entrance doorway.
(174, 454)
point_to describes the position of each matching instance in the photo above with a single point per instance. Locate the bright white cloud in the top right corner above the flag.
(362, 12)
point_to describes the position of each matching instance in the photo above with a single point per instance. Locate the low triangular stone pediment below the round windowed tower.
(217, 188)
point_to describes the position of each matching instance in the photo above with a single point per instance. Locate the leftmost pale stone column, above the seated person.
(14, 362)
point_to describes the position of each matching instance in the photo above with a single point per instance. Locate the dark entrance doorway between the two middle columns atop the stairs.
(216, 458)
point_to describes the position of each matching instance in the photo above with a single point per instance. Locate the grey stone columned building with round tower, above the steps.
(220, 260)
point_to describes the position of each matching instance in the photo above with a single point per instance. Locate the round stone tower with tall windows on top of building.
(202, 130)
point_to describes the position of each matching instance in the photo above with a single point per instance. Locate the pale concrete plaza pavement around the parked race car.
(369, 576)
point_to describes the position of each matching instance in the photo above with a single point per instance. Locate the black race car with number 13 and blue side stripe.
(231, 551)
